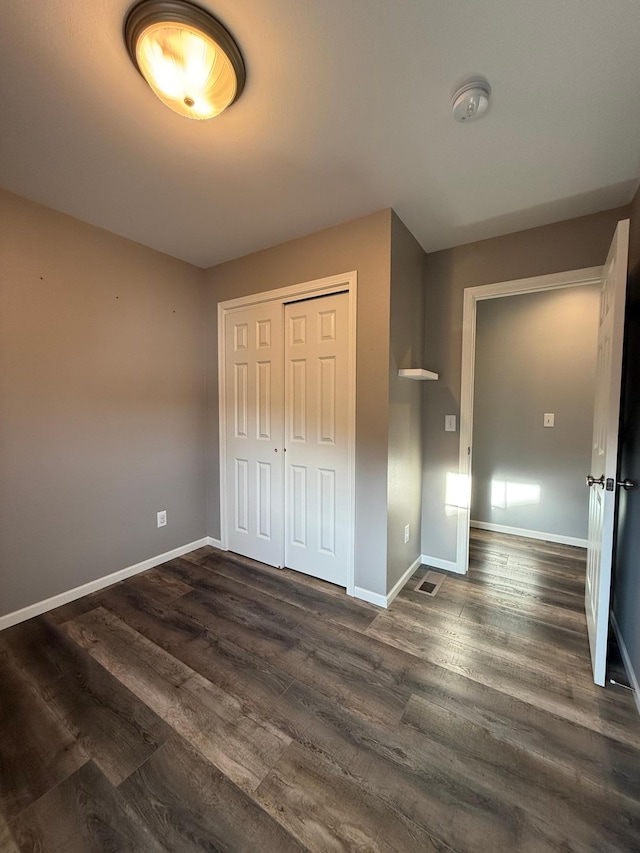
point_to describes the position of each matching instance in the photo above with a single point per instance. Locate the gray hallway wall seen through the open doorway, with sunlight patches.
(535, 353)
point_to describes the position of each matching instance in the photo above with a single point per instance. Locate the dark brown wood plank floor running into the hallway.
(215, 704)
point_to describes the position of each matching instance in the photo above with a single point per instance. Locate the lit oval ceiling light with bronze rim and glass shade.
(186, 56)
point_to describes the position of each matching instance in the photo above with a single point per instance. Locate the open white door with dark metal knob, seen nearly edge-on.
(604, 458)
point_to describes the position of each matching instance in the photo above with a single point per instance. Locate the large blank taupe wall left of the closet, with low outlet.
(102, 402)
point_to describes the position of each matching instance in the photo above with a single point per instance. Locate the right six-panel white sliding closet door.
(316, 437)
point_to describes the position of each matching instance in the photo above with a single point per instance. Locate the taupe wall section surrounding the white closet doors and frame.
(363, 245)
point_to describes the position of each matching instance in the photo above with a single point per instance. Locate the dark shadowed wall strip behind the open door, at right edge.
(626, 581)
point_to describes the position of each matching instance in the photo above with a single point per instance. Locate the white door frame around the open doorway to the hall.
(472, 295)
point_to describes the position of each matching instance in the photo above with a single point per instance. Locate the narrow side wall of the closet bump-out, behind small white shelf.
(405, 402)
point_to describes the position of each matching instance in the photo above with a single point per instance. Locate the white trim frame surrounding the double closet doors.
(307, 290)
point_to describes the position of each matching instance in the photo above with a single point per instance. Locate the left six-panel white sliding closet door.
(254, 424)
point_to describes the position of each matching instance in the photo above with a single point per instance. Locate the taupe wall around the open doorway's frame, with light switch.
(574, 244)
